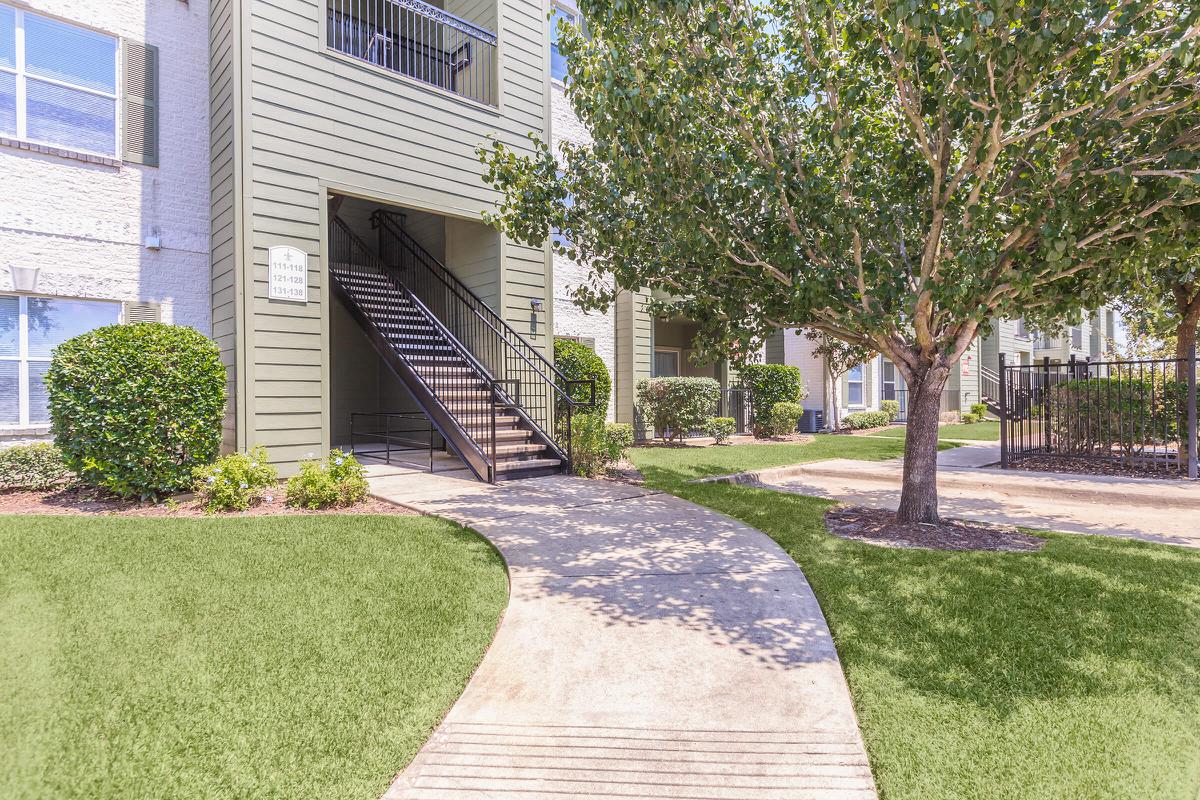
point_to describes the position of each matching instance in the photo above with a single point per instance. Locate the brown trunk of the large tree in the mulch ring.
(919, 496)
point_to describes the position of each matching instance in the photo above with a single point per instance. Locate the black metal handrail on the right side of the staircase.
(530, 381)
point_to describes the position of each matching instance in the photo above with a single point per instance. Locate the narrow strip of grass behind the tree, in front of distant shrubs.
(704, 462)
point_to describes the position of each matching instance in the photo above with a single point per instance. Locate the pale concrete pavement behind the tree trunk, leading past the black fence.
(1153, 510)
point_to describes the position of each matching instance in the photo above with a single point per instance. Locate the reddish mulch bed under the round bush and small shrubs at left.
(81, 501)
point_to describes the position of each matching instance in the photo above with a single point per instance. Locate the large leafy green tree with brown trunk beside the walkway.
(890, 173)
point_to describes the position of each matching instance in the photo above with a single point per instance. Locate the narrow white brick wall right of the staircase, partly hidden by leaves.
(569, 318)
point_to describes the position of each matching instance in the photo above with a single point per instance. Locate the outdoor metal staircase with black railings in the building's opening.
(501, 406)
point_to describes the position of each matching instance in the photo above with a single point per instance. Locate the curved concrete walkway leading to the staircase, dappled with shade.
(651, 649)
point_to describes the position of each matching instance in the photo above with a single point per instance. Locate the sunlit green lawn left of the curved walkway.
(245, 658)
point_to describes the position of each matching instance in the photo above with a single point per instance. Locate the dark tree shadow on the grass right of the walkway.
(1084, 617)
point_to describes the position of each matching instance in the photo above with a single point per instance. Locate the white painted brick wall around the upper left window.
(85, 225)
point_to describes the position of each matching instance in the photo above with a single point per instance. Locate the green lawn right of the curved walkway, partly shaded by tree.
(1069, 673)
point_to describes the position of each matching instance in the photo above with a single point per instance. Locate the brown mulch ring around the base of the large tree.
(879, 527)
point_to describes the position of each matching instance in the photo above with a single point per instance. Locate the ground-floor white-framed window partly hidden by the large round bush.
(31, 329)
